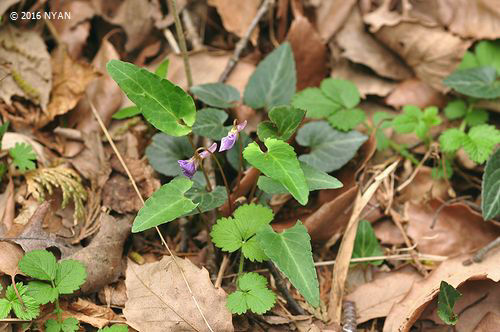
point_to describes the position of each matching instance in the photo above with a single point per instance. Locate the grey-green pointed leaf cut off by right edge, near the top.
(477, 82)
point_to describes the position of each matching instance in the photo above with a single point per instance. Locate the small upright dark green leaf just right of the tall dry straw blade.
(366, 243)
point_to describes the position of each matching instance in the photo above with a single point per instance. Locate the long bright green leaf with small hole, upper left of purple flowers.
(165, 105)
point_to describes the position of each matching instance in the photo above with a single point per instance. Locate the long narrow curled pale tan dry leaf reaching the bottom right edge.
(406, 312)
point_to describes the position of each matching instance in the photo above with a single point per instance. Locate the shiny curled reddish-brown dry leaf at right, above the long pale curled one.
(457, 229)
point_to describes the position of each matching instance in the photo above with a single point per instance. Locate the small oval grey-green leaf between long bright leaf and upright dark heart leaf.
(217, 94)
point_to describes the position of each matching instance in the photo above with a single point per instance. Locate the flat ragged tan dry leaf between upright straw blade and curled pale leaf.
(375, 299)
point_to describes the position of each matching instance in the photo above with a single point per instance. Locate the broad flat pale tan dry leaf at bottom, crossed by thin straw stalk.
(160, 288)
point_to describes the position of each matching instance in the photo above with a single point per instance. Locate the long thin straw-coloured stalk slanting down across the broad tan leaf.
(134, 185)
